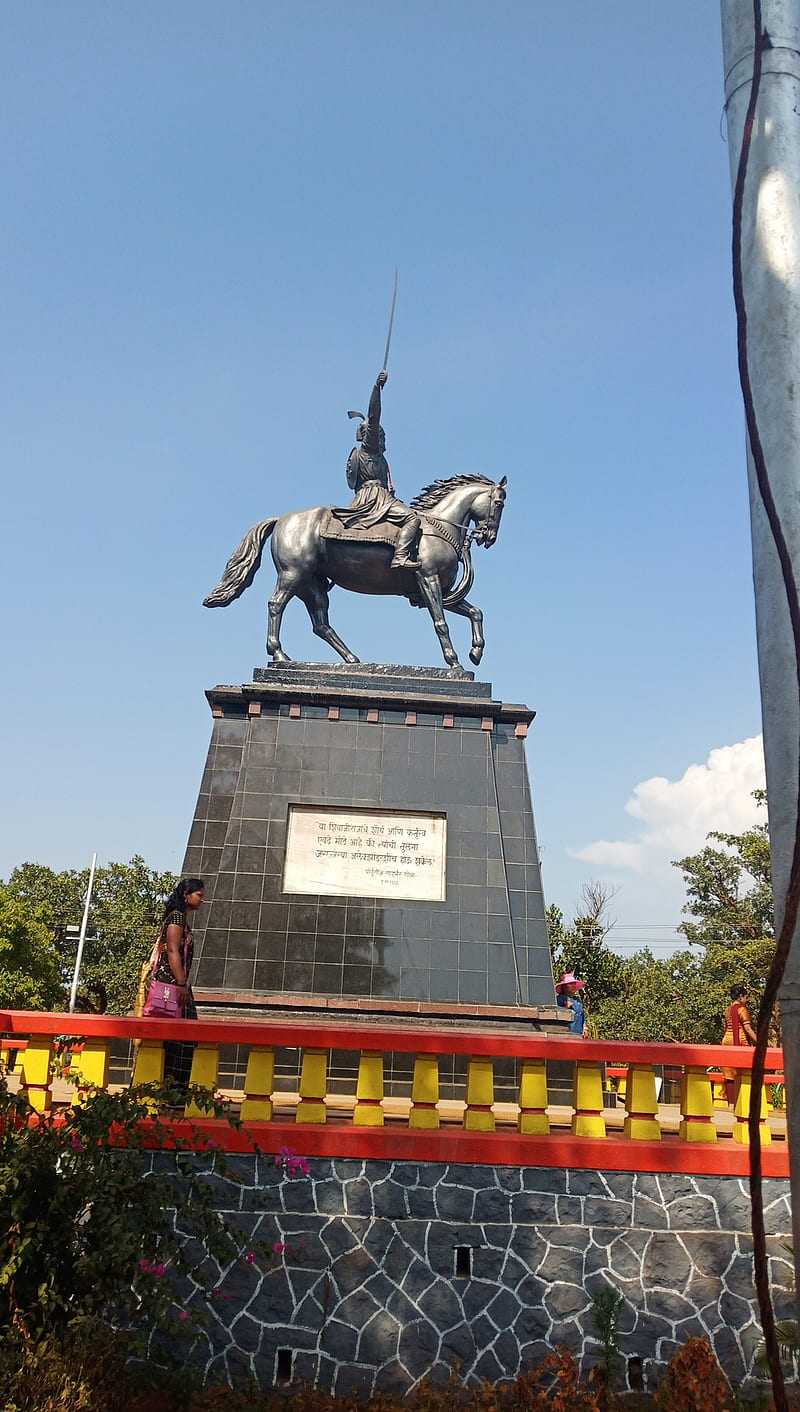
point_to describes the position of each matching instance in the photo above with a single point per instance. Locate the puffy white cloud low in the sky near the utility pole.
(677, 815)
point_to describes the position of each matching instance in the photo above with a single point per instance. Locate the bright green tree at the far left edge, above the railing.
(30, 972)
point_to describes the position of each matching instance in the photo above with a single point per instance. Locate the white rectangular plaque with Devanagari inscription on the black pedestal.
(366, 854)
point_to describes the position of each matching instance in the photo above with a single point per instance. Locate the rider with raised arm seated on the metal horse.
(369, 477)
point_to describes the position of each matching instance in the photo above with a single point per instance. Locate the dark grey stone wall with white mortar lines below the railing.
(406, 1269)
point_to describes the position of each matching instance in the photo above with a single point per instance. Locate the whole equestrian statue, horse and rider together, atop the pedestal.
(375, 546)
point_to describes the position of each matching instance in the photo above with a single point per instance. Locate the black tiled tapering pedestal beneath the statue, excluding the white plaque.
(369, 738)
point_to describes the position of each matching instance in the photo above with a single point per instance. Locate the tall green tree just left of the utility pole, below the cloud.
(730, 887)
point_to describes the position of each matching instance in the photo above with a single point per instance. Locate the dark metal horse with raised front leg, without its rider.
(314, 551)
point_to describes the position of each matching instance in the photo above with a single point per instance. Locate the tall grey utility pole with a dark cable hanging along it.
(763, 64)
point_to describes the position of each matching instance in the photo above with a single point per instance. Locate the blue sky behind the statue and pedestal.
(204, 210)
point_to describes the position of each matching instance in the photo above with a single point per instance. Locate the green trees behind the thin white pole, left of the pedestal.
(126, 910)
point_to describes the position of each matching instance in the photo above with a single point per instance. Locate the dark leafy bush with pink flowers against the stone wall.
(87, 1228)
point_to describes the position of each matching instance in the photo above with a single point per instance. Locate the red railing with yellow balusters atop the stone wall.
(531, 1125)
